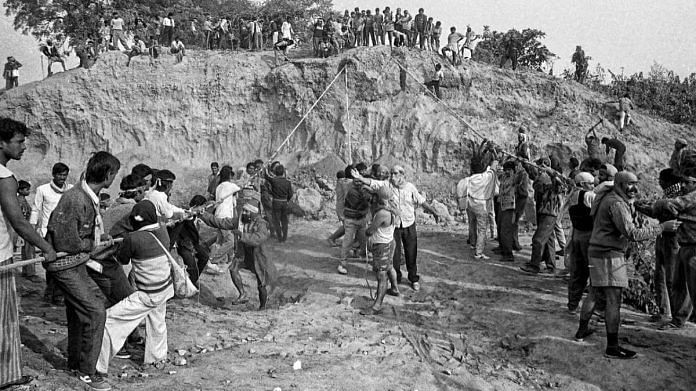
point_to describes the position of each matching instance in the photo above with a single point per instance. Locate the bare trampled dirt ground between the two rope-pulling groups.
(475, 325)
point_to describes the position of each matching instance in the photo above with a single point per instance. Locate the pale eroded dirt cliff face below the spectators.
(236, 107)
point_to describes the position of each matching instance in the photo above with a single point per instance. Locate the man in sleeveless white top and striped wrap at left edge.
(12, 135)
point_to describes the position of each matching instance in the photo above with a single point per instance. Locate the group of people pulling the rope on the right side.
(600, 200)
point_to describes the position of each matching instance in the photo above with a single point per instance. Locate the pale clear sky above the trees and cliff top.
(615, 33)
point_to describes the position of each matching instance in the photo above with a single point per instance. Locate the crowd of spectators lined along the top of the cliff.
(329, 35)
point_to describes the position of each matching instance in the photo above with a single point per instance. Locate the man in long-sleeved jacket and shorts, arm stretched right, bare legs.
(612, 231)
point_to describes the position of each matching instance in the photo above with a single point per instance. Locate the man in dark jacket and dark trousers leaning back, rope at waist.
(75, 227)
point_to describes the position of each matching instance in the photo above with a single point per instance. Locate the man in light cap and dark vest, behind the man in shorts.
(579, 206)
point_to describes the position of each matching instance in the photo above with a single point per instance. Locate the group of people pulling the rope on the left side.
(86, 242)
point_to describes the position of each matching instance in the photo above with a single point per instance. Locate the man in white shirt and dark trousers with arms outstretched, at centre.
(406, 198)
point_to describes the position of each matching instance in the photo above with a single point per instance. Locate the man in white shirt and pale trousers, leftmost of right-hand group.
(475, 193)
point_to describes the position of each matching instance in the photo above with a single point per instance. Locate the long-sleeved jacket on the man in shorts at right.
(613, 225)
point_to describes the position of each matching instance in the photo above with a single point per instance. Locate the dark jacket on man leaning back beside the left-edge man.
(71, 229)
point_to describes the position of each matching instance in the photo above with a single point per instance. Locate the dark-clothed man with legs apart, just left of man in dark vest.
(548, 188)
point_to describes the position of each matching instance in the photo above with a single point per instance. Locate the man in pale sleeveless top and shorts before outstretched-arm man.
(381, 240)
